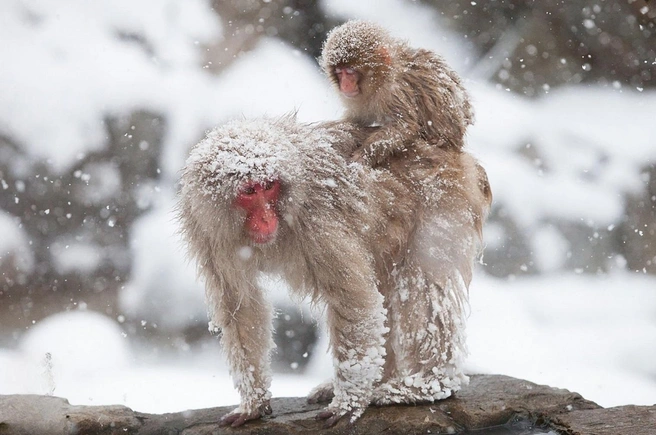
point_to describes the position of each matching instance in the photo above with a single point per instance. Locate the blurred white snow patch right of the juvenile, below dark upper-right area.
(587, 157)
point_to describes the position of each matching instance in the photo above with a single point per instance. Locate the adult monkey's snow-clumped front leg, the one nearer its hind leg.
(356, 325)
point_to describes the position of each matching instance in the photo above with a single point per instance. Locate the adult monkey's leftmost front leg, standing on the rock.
(245, 318)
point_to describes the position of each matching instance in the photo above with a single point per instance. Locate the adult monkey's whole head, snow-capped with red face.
(238, 181)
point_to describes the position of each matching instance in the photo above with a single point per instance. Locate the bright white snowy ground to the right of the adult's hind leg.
(592, 335)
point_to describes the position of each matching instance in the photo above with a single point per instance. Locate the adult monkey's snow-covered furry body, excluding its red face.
(390, 257)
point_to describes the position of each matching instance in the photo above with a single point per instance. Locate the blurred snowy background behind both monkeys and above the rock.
(101, 101)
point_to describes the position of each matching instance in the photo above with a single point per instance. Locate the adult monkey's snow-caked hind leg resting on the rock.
(427, 335)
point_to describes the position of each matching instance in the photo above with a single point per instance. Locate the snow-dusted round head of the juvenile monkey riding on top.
(357, 57)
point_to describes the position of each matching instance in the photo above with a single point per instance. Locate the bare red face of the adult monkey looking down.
(260, 200)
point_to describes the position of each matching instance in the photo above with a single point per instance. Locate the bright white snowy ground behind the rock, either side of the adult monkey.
(596, 336)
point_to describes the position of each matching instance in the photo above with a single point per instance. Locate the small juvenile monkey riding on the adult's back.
(410, 92)
